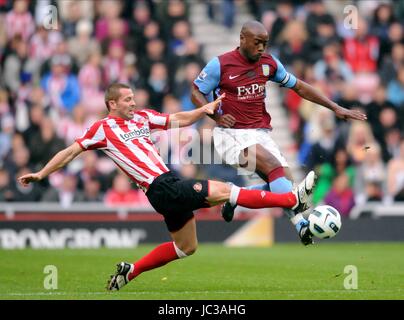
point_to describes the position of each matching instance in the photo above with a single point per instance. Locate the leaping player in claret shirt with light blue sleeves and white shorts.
(243, 131)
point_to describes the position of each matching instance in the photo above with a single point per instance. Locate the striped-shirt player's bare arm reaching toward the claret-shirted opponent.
(186, 118)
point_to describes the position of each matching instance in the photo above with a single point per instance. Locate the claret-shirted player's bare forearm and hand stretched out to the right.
(310, 93)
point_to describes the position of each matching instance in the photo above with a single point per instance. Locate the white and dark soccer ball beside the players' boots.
(324, 222)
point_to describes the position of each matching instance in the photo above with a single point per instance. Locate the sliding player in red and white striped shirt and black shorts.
(124, 135)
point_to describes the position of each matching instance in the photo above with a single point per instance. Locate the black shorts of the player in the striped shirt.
(176, 198)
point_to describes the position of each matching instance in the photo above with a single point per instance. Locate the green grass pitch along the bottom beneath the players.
(285, 271)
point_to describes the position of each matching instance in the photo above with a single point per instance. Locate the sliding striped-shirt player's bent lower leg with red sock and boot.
(184, 244)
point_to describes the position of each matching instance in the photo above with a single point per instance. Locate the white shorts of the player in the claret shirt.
(230, 142)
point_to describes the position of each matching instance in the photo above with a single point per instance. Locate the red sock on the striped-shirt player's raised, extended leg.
(256, 199)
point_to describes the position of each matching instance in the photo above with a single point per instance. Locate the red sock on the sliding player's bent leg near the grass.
(158, 257)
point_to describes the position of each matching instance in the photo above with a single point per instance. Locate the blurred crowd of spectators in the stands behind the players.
(52, 82)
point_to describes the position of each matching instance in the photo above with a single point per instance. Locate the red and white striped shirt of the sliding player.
(128, 144)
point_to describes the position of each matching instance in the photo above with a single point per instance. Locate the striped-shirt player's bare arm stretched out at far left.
(61, 159)
